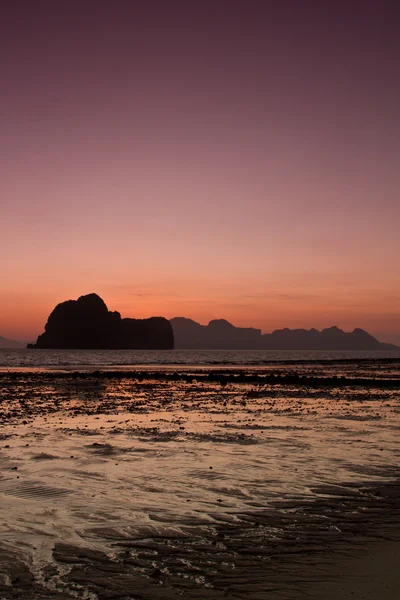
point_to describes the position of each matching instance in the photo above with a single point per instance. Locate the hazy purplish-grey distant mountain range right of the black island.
(220, 334)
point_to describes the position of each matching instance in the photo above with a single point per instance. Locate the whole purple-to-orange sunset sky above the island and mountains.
(212, 159)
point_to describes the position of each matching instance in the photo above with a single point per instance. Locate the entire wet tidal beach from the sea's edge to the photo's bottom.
(136, 486)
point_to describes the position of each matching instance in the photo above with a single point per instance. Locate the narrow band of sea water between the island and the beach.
(97, 359)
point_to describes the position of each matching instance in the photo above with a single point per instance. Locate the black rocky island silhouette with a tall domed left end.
(87, 323)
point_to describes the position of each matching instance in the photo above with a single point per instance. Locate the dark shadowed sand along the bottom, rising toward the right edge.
(361, 562)
